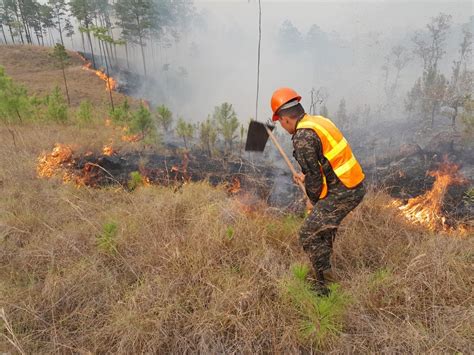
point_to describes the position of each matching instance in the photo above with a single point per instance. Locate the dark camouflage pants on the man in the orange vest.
(319, 229)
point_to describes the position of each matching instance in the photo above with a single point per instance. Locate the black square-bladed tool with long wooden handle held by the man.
(257, 137)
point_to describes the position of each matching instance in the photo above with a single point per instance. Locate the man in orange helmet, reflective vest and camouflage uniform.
(332, 176)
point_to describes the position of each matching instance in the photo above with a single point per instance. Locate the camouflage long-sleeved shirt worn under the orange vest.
(308, 152)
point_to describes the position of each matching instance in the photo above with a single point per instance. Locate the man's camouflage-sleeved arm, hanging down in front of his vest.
(308, 152)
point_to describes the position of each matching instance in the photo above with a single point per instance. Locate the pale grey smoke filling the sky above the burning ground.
(215, 61)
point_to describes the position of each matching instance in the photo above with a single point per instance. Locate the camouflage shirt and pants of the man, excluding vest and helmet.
(319, 229)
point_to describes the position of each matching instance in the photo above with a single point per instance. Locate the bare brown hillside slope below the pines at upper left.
(34, 67)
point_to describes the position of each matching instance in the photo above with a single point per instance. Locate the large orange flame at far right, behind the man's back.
(426, 209)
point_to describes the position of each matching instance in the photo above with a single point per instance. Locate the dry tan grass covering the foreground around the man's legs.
(190, 271)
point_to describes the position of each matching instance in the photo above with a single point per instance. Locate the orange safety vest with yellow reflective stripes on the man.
(336, 150)
